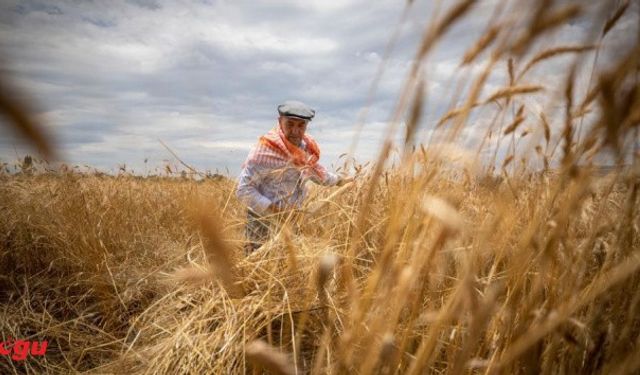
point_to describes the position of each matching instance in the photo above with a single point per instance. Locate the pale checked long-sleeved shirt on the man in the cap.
(261, 184)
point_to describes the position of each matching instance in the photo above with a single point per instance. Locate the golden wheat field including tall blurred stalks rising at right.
(443, 263)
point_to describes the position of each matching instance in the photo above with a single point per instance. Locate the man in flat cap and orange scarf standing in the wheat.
(274, 175)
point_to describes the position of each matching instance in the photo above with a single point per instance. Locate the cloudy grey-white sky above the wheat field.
(110, 80)
